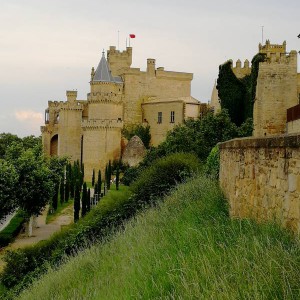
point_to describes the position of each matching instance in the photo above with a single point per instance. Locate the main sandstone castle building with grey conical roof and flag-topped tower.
(90, 130)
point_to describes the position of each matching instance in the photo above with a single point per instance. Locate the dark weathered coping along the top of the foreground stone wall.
(280, 141)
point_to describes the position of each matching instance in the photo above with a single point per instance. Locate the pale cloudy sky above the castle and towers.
(50, 46)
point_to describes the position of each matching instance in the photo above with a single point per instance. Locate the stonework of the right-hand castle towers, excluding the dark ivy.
(276, 107)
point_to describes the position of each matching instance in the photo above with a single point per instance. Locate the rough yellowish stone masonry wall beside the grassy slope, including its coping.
(261, 178)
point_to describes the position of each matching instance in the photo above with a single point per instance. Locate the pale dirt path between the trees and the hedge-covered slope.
(42, 232)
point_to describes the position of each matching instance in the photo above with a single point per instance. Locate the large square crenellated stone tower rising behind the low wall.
(276, 90)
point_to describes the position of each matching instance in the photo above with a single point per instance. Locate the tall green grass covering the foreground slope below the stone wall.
(186, 248)
